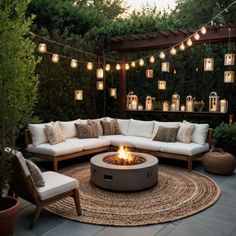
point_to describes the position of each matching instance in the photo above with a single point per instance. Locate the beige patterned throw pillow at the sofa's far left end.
(54, 133)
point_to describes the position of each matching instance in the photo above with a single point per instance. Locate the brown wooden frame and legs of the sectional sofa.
(56, 159)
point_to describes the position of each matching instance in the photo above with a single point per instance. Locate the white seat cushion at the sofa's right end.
(188, 149)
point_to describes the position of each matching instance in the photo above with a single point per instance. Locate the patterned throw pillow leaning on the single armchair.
(35, 173)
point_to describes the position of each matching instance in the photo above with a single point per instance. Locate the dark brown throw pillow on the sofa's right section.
(165, 134)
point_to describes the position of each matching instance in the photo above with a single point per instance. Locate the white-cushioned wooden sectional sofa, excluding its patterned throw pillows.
(136, 134)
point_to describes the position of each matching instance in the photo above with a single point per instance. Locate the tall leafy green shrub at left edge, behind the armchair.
(18, 83)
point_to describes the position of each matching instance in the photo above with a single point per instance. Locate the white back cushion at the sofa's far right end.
(200, 132)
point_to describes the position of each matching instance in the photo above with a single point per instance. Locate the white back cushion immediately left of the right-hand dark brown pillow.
(140, 128)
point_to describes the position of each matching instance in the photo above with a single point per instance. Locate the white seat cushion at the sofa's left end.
(69, 146)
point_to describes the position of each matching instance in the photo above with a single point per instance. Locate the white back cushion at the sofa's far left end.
(38, 134)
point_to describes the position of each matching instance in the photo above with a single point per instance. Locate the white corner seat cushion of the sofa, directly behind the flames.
(117, 140)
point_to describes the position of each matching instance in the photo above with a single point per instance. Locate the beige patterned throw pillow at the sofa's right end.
(185, 133)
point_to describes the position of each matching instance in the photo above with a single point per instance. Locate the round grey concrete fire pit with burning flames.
(124, 170)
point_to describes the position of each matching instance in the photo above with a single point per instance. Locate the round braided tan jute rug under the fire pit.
(179, 193)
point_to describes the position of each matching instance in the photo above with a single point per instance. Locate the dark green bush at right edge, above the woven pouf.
(225, 135)
